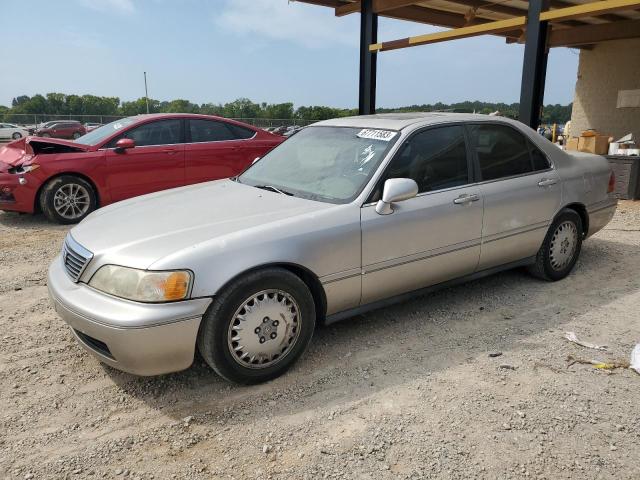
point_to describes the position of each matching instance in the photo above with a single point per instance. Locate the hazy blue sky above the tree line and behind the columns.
(267, 50)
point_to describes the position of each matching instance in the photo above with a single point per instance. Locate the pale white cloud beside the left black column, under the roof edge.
(310, 26)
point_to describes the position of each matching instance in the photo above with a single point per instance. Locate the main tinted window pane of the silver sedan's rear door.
(501, 150)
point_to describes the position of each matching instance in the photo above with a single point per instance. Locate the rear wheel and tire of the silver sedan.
(560, 249)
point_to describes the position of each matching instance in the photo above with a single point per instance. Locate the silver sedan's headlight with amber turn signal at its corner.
(142, 285)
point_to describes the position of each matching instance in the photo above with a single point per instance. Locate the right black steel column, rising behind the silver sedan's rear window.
(534, 68)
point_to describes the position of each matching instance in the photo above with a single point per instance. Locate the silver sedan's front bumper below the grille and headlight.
(143, 339)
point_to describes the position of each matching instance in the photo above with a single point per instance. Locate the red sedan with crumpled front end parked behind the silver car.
(132, 156)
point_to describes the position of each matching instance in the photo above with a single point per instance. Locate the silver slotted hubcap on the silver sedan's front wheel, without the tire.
(264, 329)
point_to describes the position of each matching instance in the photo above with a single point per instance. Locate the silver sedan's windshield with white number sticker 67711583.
(330, 164)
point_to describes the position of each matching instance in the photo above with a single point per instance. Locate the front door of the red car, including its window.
(155, 163)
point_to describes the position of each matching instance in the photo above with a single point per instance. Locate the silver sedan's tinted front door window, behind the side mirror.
(435, 159)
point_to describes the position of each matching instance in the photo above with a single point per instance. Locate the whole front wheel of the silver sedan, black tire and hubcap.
(258, 326)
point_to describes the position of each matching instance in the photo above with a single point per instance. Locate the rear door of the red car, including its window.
(216, 149)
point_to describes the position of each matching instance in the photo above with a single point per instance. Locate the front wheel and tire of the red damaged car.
(67, 199)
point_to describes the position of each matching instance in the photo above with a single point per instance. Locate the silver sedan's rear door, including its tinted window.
(521, 193)
